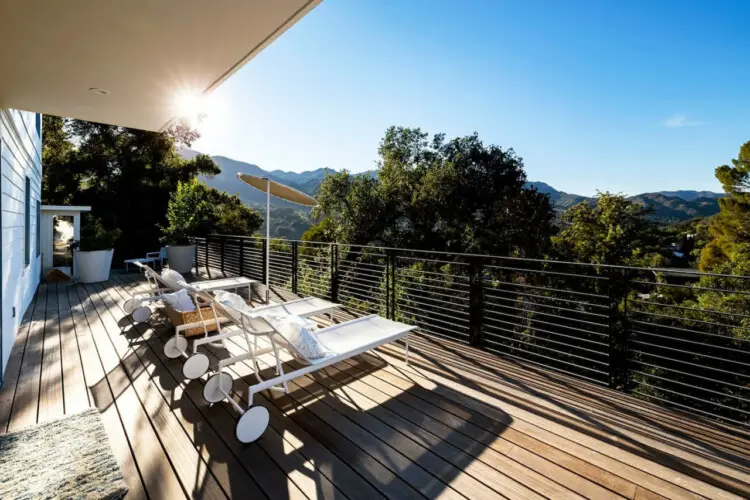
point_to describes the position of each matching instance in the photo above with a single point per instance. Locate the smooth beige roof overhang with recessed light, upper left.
(141, 52)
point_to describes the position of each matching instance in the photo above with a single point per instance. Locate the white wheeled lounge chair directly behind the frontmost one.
(197, 363)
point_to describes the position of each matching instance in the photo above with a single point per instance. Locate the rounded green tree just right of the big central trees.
(612, 230)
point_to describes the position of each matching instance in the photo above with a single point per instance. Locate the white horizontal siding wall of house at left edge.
(20, 157)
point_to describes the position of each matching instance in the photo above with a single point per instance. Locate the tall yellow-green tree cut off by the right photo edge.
(731, 226)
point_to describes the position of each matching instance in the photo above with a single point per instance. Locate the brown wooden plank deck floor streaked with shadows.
(456, 423)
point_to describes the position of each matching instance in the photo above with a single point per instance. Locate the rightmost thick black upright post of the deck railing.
(617, 292)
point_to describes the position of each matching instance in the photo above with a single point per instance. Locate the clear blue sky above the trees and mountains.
(627, 96)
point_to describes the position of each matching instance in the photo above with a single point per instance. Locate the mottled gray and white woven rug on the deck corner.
(66, 458)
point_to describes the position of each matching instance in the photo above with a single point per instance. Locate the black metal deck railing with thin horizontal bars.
(671, 336)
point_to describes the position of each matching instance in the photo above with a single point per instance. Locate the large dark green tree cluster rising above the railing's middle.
(458, 195)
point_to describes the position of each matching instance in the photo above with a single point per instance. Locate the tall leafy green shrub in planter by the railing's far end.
(183, 219)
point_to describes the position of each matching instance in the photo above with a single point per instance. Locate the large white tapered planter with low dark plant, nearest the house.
(93, 253)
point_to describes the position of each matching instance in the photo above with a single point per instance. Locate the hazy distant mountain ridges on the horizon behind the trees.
(669, 206)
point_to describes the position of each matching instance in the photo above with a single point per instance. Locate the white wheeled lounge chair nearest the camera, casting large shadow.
(344, 340)
